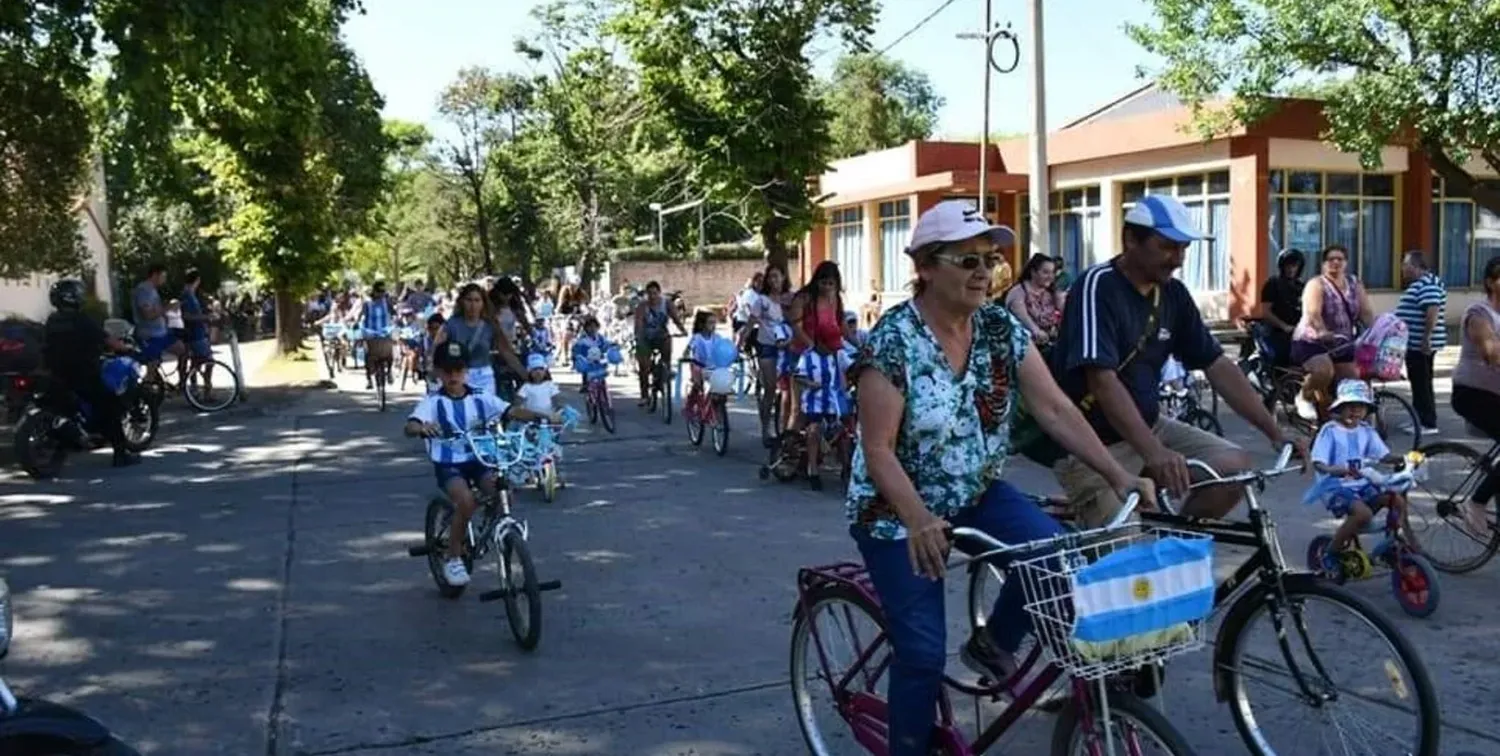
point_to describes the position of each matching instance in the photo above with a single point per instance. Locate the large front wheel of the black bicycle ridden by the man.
(1381, 700)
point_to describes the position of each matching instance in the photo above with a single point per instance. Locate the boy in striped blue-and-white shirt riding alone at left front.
(439, 418)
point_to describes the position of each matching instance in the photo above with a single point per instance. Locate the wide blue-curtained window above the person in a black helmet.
(1312, 211)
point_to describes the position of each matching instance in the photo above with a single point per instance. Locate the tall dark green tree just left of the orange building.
(736, 85)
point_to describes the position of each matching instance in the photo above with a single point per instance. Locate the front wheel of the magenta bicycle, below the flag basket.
(1133, 727)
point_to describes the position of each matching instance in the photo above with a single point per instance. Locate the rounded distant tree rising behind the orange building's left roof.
(878, 103)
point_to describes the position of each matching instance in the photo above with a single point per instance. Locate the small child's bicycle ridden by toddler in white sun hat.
(1414, 580)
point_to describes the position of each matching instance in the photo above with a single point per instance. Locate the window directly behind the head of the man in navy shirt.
(1205, 268)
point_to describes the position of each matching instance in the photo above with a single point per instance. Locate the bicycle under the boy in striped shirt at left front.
(493, 530)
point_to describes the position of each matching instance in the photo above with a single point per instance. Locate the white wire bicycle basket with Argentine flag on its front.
(1117, 602)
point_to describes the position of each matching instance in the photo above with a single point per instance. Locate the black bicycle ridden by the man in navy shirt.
(1387, 670)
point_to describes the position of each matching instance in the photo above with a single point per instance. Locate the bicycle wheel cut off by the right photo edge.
(1435, 515)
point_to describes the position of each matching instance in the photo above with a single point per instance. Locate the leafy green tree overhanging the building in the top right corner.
(1418, 73)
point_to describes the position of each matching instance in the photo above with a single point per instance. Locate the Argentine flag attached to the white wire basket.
(1148, 589)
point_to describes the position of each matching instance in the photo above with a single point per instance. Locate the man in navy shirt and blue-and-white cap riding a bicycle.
(1121, 323)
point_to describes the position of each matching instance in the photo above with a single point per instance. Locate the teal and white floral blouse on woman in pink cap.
(955, 434)
